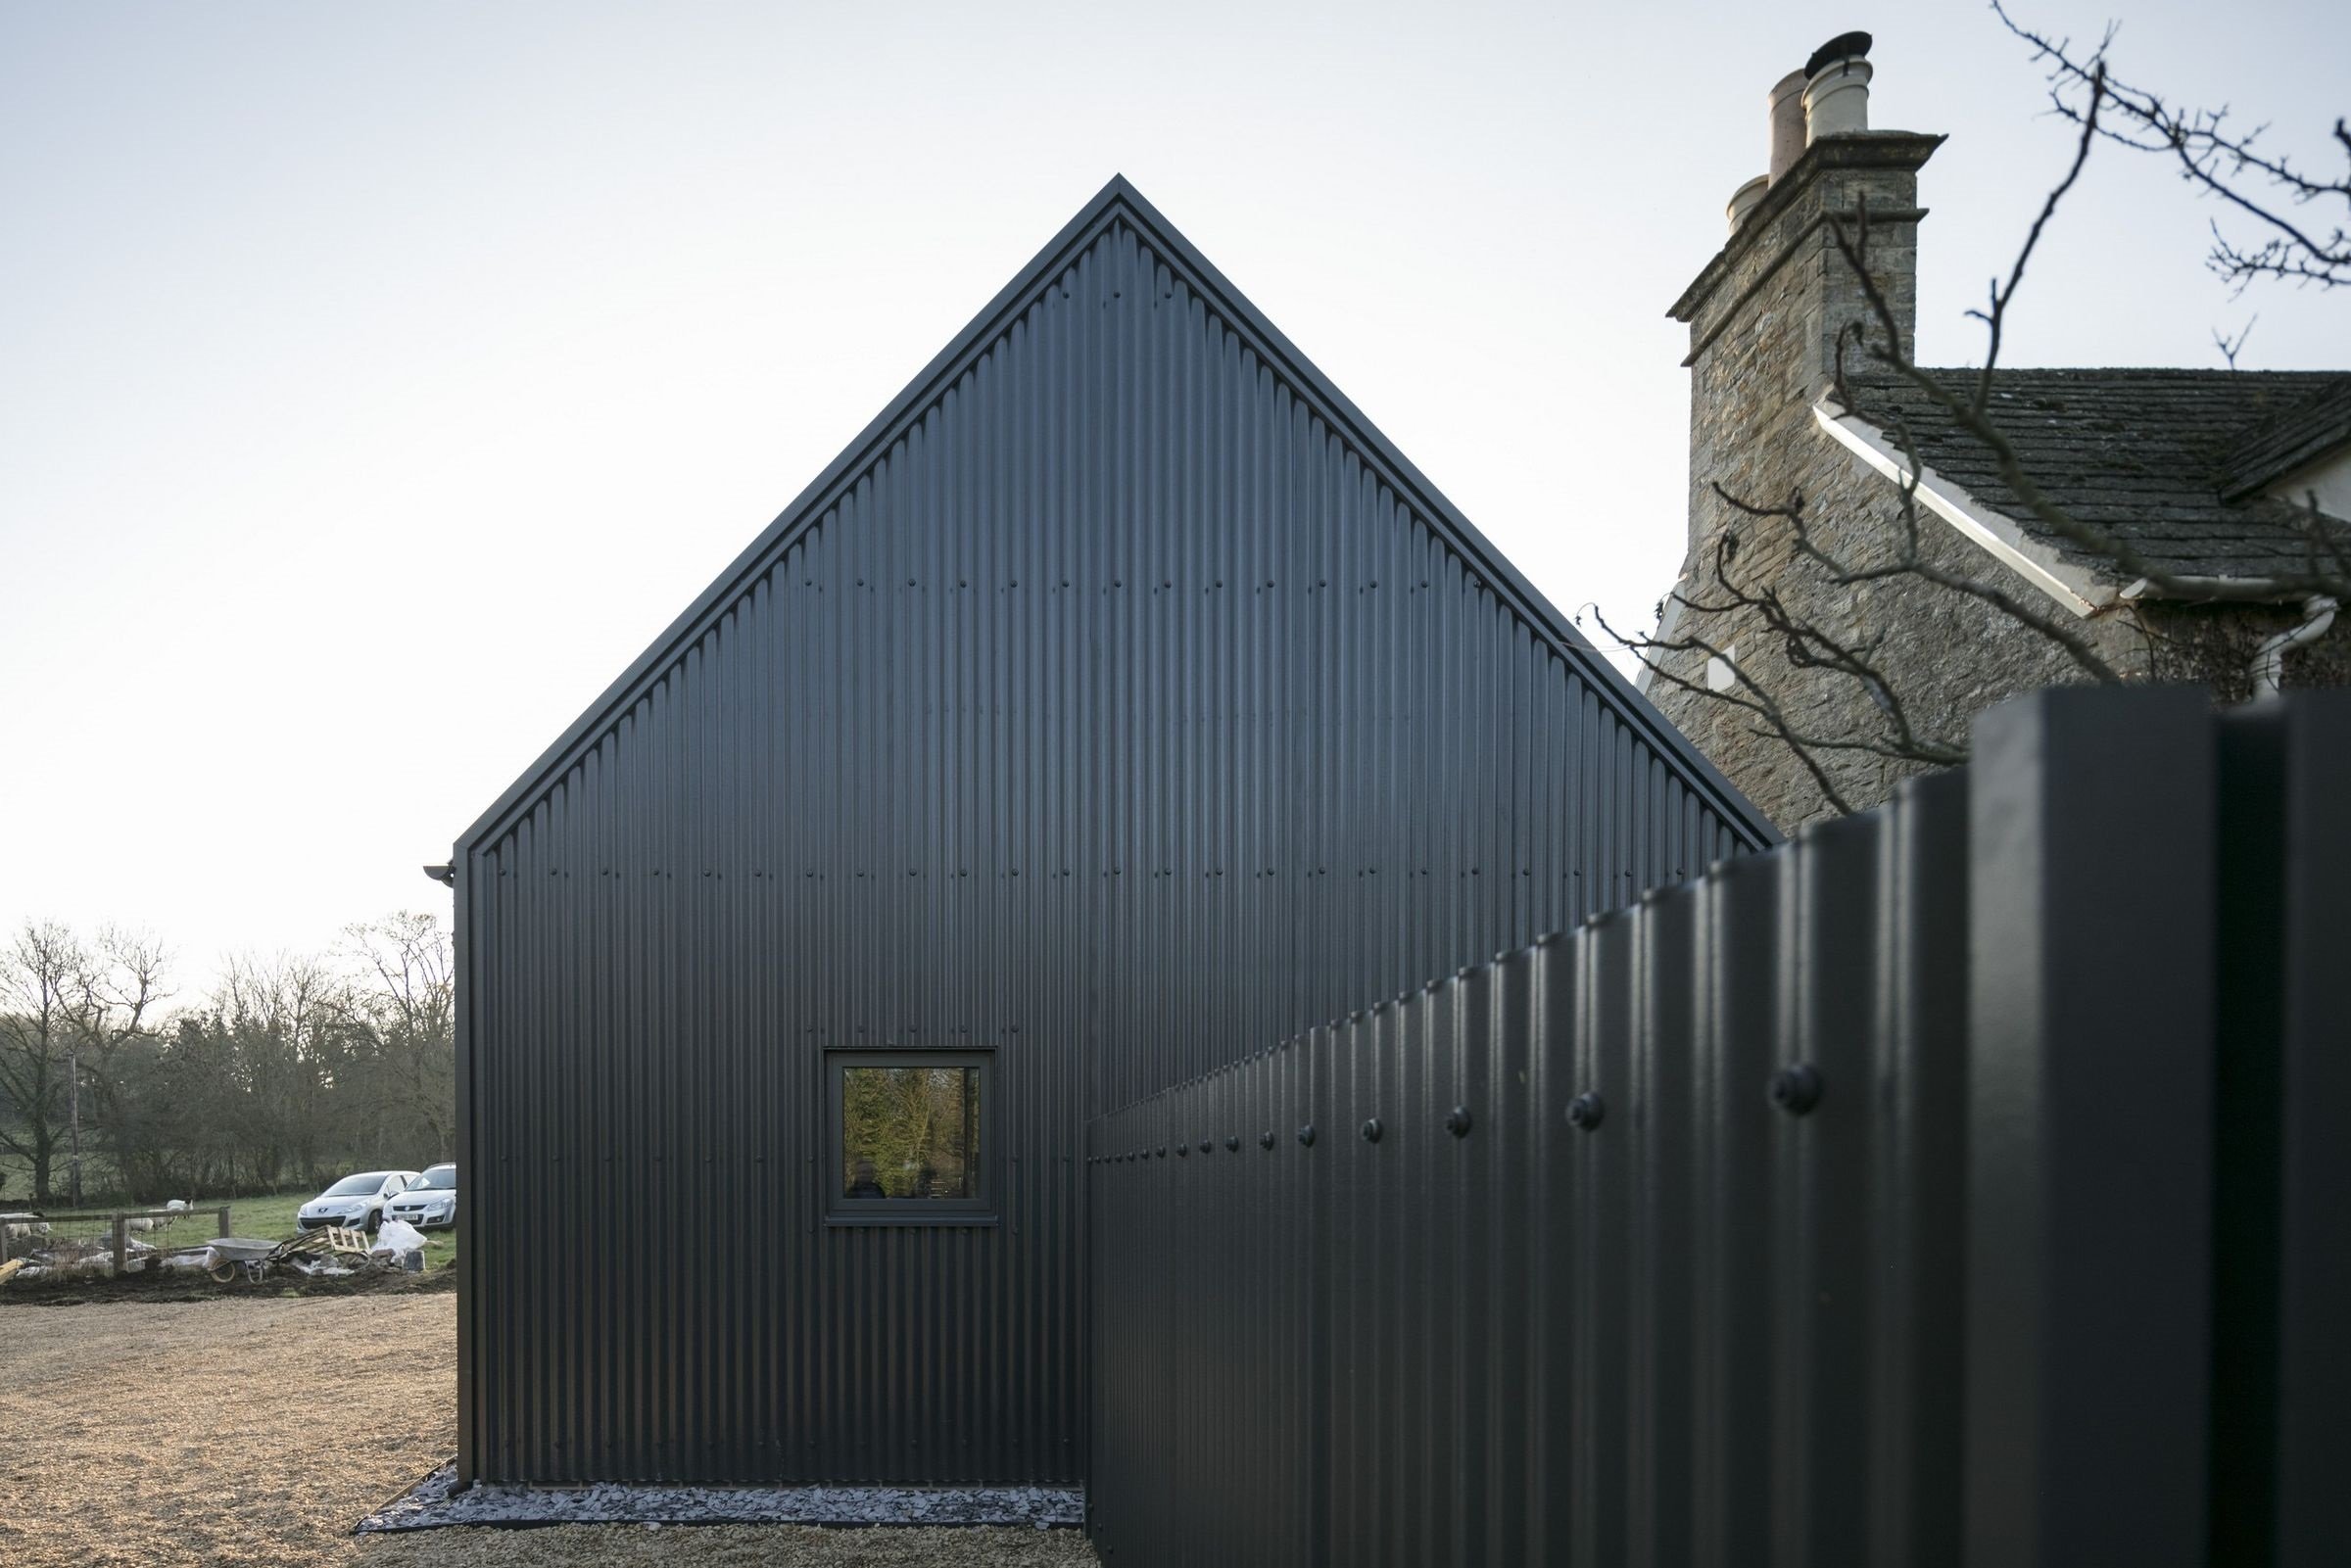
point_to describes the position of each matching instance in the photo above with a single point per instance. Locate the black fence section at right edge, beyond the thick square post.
(2284, 1209)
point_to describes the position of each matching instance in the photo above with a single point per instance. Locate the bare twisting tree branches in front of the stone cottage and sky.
(2221, 163)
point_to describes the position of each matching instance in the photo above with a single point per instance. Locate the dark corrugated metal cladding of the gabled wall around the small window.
(1120, 702)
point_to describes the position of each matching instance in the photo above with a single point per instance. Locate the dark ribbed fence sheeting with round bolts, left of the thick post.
(1684, 1336)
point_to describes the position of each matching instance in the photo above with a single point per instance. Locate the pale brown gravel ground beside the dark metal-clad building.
(262, 1430)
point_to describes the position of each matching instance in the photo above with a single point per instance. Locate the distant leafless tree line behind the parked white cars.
(288, 1073)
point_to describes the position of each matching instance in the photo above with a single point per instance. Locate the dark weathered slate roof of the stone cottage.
(2169, 460)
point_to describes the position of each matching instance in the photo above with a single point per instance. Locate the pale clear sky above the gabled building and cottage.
(377, 382)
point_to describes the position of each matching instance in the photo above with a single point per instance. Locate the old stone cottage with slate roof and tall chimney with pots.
(2211, 478)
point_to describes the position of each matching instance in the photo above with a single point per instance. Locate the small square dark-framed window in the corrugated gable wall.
(909, 1137)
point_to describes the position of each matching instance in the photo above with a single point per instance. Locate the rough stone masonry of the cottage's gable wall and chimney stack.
(1764, 326)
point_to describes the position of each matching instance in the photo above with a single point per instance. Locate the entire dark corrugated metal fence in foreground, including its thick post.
(1962, 1184)
